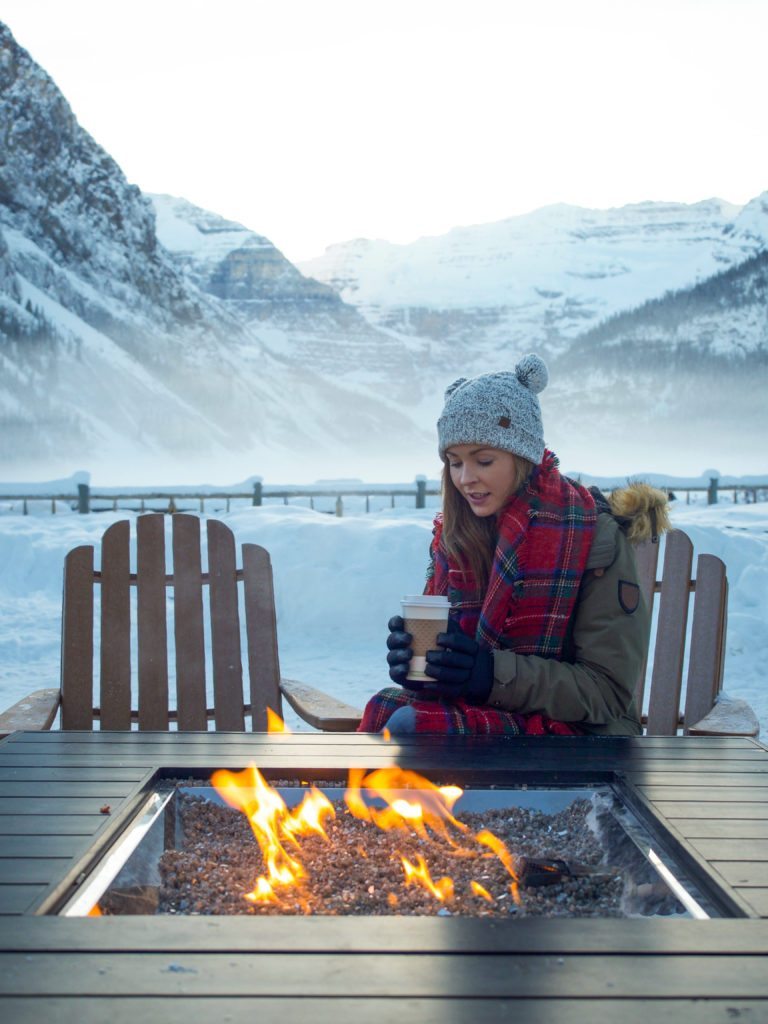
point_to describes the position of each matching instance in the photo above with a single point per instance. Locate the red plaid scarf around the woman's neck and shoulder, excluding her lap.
(545, 535)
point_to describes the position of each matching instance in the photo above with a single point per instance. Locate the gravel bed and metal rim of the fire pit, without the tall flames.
(577, 852)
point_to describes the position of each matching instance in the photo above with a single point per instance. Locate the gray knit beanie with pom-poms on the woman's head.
(499, 410)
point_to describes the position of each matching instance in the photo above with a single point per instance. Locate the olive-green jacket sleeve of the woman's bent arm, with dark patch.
(610, 645)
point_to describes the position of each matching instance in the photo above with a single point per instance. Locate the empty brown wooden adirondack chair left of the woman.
(186, 588)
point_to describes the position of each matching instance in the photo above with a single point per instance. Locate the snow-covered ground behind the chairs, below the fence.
(338, 581)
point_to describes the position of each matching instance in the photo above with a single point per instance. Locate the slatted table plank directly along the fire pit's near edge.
(170, 934)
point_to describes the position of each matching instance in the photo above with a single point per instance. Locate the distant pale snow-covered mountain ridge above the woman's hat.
(539, 280)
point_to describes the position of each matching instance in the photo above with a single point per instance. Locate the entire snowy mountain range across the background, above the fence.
(140, 331)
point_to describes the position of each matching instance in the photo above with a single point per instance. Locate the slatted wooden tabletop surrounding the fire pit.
(712, 794)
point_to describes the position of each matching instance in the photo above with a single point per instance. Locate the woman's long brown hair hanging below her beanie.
(471, 540)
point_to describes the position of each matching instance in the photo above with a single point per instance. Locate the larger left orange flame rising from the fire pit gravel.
(274, 826)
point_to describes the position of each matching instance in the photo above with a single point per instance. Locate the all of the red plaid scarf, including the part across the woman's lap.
(545, 535)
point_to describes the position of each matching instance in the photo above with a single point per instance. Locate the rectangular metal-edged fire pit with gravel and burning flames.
(391, 843)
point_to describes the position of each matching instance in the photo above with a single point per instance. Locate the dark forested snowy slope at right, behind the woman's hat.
(685, 372)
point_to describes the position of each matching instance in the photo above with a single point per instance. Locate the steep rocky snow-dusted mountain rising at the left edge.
(109, 347)
